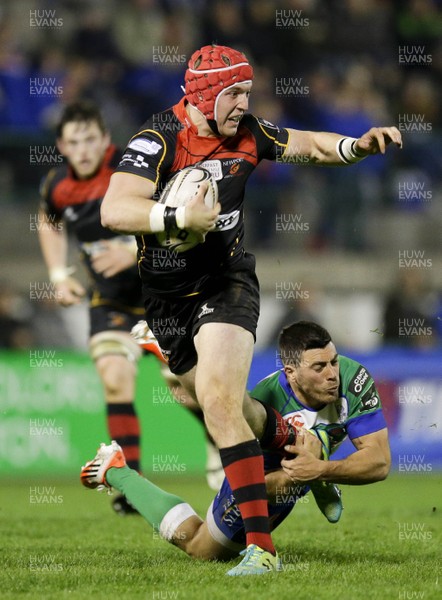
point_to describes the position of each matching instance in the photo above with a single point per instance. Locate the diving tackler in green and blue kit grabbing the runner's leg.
(316, 391)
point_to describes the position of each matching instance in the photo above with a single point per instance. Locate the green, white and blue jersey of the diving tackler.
(357, 411)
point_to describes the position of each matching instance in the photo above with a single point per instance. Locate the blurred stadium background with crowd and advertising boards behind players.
(338, 246)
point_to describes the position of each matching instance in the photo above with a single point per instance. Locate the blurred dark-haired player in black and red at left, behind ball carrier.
(72, 196)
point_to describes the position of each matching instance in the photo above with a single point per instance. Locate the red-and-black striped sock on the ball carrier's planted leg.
(244, 468)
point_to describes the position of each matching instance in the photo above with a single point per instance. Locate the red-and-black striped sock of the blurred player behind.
(124, 428)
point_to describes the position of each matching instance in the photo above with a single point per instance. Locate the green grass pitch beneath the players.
(79, 549)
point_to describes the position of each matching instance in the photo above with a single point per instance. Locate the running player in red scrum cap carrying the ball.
(214, 298)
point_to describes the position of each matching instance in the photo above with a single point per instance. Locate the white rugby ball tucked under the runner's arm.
(183, 186)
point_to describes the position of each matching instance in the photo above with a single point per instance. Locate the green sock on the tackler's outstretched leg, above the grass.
(150, 501)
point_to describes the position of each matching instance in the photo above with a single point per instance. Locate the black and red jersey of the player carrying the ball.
(167, 143)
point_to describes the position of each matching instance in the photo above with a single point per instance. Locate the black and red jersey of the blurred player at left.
(78, 202)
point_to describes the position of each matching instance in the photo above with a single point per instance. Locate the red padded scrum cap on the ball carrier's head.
(212, 70)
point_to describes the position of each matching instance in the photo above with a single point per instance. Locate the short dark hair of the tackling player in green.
(298, 337)
